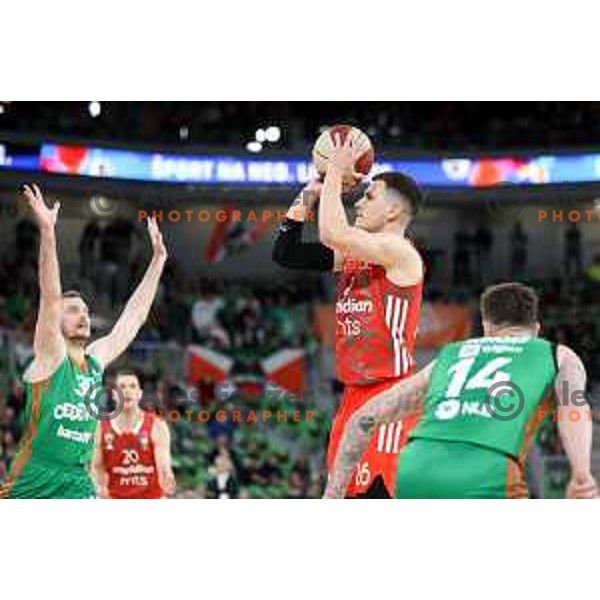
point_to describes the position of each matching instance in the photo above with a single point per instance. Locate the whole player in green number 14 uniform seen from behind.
(481, 403)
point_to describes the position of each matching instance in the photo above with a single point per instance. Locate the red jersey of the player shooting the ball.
(376, 325)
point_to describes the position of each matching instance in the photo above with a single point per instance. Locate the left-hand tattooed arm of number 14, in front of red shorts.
(392, 405)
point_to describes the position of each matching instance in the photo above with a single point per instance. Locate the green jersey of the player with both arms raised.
(60, 431)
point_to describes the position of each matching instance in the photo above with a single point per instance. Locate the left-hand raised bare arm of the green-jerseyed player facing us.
(49, 346)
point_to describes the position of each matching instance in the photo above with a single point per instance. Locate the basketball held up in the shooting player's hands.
(324, 146)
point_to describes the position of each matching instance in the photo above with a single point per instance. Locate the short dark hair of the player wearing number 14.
(510, 304)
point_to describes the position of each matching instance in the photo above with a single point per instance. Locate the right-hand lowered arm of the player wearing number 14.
(575, 433)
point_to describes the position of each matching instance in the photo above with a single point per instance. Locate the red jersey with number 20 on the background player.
(129, 460)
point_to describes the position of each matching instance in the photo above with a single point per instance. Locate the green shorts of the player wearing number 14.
(443, 469)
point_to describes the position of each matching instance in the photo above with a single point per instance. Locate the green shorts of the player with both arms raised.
(39, 480)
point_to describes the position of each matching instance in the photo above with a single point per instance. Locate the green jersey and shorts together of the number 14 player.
(485, 401)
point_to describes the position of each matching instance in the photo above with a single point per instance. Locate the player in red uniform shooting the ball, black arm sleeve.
(378, 300)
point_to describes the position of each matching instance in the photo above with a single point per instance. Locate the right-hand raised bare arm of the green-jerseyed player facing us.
(110, 347)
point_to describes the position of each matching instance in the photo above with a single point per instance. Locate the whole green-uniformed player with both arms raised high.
(56, 450)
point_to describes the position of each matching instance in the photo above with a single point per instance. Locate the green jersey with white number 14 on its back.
(489, 392)
